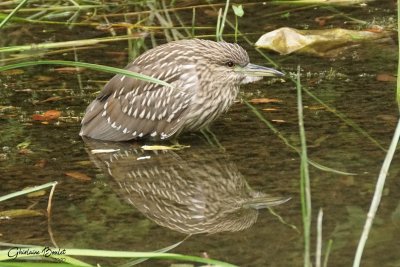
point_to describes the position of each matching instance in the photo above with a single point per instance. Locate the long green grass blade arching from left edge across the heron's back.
(89, 66)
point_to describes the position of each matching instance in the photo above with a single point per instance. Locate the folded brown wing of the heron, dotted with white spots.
(128, 108)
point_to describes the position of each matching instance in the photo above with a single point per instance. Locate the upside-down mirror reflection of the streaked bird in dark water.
(195, 190)
